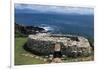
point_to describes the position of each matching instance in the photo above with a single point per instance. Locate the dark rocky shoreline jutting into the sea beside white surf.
(22, 30)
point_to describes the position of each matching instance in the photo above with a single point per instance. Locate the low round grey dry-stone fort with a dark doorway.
(44, 44)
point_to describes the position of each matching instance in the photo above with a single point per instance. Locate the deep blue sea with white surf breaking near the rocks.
(59, 23)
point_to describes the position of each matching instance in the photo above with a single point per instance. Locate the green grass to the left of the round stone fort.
(19, 58)
